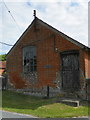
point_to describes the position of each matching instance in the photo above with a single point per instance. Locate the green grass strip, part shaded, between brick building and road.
(45, 108)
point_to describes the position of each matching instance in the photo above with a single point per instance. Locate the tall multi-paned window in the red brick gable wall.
(29, 59)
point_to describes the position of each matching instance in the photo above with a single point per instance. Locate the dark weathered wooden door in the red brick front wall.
(70, 71)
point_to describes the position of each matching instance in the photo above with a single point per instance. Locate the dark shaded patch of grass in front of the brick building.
(20, 101)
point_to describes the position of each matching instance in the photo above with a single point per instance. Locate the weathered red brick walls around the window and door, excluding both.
(48, 46)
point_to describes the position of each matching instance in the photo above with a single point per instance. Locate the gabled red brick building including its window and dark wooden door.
(44, 56)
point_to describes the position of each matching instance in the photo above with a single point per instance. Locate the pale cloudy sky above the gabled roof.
(68, 16)
